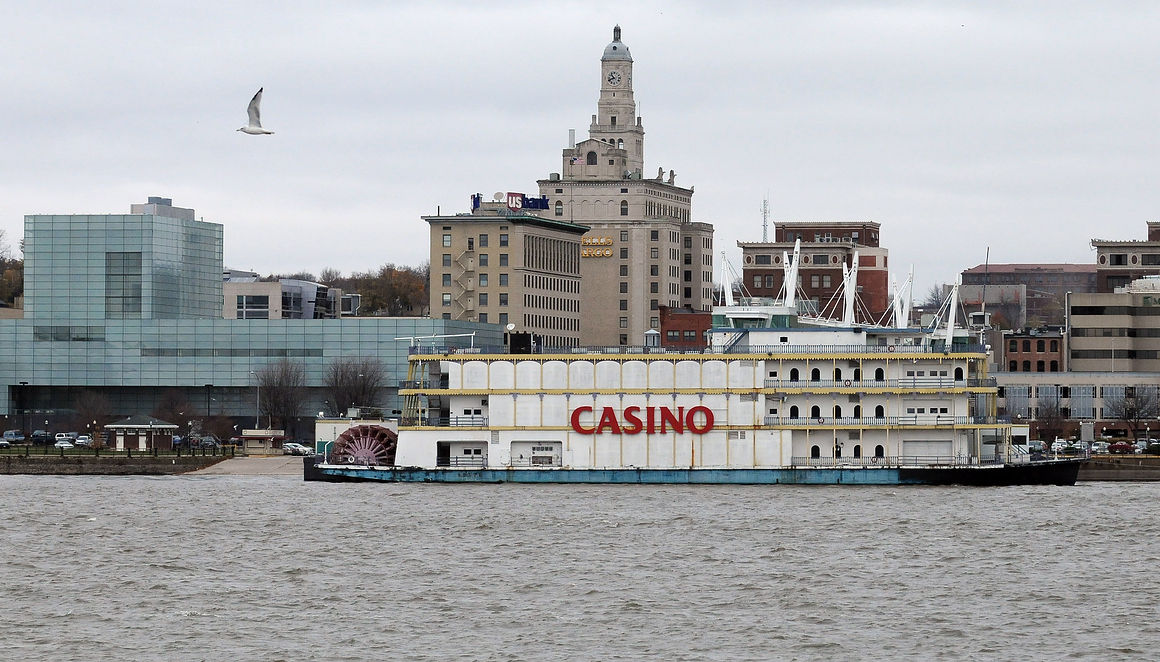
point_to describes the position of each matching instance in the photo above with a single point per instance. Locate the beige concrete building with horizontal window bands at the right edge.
(1118, 332)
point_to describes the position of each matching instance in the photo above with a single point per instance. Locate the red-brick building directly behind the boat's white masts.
(826, 248)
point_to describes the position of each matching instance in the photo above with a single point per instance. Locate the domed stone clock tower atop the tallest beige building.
(617, 121)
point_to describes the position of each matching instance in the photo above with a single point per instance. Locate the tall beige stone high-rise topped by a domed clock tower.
(643, 250)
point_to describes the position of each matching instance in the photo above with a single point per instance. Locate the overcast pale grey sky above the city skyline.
(1028, 128)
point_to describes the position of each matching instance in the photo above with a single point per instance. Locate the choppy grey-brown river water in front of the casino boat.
(275, 569)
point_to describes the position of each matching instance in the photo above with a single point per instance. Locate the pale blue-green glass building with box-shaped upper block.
(129, 308)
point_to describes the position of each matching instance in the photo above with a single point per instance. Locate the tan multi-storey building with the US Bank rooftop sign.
(502, 266)
